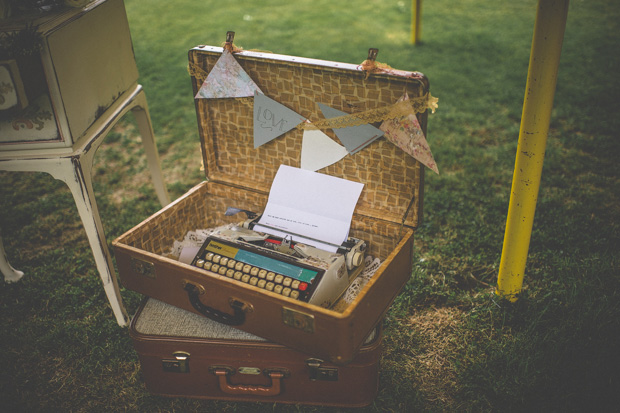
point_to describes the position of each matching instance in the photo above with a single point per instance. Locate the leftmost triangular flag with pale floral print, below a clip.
(227, 79)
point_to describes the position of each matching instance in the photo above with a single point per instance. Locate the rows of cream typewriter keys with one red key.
(253, 275)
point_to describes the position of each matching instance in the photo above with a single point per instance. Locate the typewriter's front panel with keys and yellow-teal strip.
(257, 267)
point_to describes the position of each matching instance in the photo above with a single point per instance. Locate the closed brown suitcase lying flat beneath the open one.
(185, 355)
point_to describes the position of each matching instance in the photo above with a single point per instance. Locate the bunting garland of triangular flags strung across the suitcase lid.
(227, 79)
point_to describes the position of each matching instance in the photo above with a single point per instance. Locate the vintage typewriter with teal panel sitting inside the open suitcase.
(281, 265)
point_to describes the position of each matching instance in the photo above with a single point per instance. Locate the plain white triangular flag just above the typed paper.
(318, 151)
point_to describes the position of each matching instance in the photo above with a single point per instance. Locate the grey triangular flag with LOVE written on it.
(272, 119)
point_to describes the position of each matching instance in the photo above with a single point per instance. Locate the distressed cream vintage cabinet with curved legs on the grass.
(86, 79)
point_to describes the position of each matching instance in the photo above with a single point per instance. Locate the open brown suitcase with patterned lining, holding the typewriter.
(240, 176)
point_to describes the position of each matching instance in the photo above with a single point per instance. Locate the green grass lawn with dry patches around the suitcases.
(450, 343)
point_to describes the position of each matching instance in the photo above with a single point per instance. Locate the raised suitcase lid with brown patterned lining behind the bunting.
(392, 179)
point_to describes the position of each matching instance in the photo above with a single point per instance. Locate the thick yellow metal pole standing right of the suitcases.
(539, 92)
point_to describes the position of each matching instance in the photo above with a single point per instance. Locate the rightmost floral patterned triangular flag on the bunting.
(406, 133)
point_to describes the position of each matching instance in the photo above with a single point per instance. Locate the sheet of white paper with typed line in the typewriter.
(312, 205)
